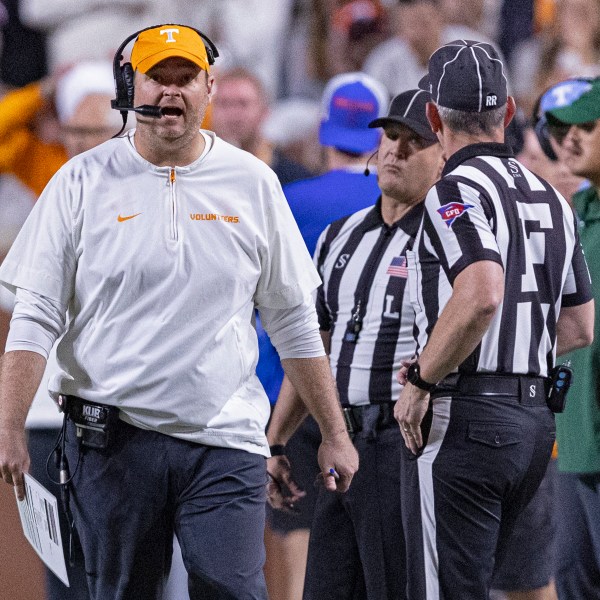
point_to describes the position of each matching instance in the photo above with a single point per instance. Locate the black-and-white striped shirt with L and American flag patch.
(362, 302)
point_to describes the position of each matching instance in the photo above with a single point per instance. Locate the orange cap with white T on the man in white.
(158, 43)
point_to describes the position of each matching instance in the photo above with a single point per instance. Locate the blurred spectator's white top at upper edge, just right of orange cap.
(257, 48)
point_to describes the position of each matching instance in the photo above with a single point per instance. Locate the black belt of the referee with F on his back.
(529, 390)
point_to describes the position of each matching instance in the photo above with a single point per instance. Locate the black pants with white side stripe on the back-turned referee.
(483, 460)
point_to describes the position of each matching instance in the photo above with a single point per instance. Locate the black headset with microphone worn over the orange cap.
(124, 76)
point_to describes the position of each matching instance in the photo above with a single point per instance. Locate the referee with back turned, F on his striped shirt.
(500, 288)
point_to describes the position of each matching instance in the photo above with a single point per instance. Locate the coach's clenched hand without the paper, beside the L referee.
(338, 460)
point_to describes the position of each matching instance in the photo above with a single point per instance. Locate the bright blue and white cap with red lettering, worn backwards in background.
(350, 102)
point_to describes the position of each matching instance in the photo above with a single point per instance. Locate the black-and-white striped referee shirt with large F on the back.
(488, 206)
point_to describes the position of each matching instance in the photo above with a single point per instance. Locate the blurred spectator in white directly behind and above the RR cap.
(420, 27)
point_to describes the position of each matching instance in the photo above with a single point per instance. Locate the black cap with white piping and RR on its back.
(466, 75)
